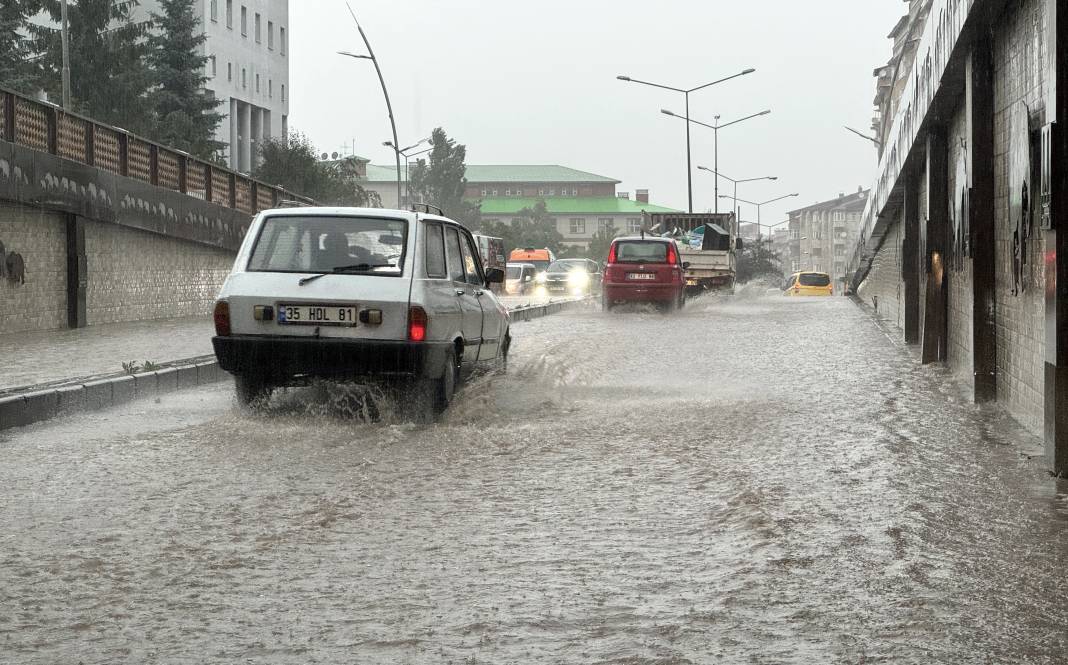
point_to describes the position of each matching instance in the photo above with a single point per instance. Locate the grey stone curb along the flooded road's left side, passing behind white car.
(42, 404)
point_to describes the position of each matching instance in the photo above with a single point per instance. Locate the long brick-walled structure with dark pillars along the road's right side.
(965, 244)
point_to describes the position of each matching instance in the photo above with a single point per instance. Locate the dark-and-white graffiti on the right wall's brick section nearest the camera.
(1020, 196)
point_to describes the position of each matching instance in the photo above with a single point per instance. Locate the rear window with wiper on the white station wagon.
(313, 244)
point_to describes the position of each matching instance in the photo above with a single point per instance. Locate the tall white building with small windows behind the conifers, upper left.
(248, 69)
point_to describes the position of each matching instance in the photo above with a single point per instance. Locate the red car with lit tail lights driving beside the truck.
(645, 271)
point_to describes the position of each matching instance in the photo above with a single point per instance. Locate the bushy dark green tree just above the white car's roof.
(293, 164)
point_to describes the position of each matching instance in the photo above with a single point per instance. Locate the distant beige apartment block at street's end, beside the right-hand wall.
(822, 236)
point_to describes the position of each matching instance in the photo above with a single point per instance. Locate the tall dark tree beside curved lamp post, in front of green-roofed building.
(442, 181)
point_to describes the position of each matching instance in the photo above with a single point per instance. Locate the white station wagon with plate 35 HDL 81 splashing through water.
(358, 293)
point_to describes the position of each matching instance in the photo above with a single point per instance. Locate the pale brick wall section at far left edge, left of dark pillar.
(41, 239)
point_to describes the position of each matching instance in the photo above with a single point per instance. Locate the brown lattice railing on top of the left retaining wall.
(43, 126)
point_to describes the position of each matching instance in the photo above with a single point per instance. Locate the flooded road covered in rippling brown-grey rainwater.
(761, 482)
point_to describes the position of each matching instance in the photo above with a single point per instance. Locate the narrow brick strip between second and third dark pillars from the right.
(960, 287)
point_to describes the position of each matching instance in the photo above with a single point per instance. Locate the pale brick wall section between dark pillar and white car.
(137, 276)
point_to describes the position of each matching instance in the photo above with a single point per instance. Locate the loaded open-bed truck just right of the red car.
(709, 243)
